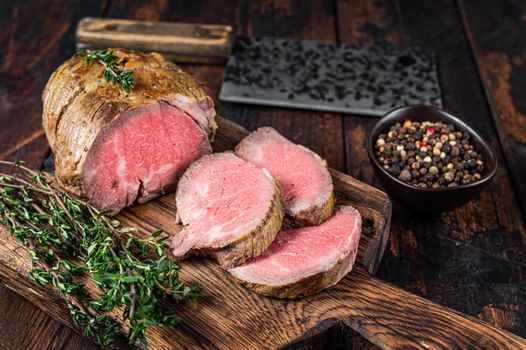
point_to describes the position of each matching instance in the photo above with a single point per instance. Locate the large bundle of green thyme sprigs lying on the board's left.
(68, 239)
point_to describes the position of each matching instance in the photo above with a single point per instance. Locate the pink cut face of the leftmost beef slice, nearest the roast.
(221, 198)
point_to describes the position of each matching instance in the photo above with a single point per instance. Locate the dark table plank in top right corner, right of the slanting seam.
(494, 30)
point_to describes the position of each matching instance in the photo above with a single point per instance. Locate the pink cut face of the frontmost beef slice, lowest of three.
(302, 252)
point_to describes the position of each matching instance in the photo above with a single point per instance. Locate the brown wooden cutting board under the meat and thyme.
(227, 316)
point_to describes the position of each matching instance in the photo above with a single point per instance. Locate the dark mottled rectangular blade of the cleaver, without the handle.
(346, 78)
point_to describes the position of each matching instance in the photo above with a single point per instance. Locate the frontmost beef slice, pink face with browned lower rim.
(303, 261)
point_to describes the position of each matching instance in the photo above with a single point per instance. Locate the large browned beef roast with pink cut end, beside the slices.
(117, 148)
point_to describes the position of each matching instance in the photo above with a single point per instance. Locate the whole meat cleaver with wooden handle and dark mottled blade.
(345, 77)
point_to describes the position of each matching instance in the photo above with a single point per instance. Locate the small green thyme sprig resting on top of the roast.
(112, 72)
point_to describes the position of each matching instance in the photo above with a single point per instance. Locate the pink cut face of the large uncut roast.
(141, 155)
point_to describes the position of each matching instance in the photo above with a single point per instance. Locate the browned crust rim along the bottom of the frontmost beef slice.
(307, 286)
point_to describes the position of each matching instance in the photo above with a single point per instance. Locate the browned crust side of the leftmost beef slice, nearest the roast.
(258, 240)
